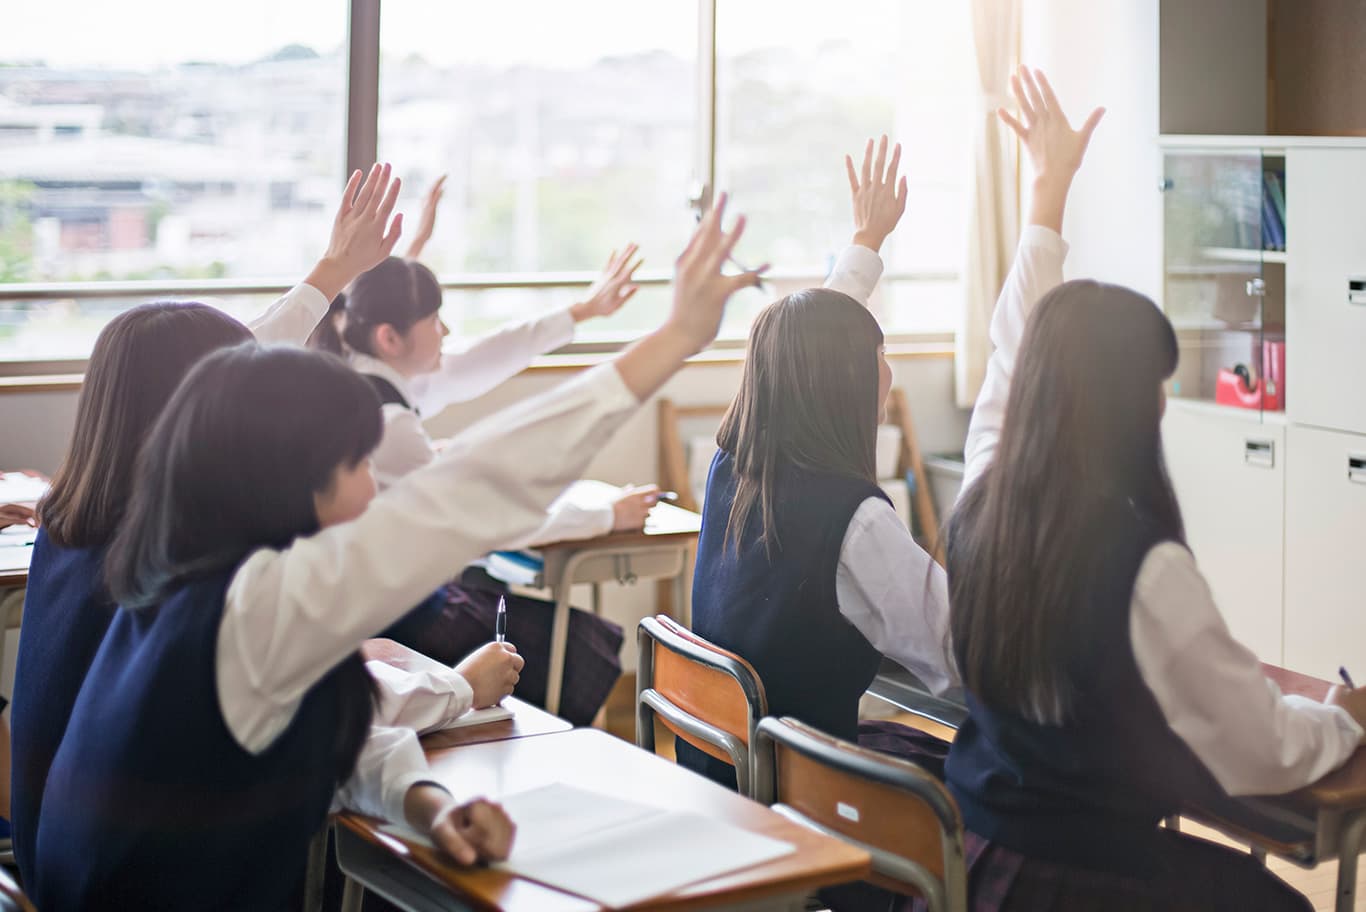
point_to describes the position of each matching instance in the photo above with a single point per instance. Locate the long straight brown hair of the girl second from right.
(808, 401)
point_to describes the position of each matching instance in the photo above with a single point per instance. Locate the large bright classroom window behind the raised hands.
(219, 155)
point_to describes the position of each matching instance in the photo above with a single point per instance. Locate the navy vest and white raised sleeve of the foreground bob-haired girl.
(232, 689)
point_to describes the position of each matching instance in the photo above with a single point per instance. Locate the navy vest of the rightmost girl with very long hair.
(1092, 791)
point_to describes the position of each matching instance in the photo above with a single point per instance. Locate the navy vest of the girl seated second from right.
(782, 615)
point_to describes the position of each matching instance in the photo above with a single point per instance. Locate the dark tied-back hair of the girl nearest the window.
(397, 293)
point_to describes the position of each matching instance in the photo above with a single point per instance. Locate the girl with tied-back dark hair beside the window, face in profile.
(389, 326)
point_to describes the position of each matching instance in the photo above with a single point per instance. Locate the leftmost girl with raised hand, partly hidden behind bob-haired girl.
(135, 368)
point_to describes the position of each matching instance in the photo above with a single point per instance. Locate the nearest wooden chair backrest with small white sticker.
(893, 809)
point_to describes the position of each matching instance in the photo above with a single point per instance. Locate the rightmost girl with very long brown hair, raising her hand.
(1104, 687)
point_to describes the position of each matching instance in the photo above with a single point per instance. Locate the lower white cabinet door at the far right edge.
(1326, 552)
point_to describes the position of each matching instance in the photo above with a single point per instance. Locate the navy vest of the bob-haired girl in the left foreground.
(152, 805)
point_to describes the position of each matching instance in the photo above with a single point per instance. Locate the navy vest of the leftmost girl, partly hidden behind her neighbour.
(65, 618)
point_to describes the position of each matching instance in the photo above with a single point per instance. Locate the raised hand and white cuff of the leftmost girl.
(361, 238)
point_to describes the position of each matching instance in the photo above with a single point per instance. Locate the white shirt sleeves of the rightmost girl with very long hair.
(1211, 689)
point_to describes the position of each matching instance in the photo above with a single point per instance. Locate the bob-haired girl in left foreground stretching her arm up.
(241, 705)
